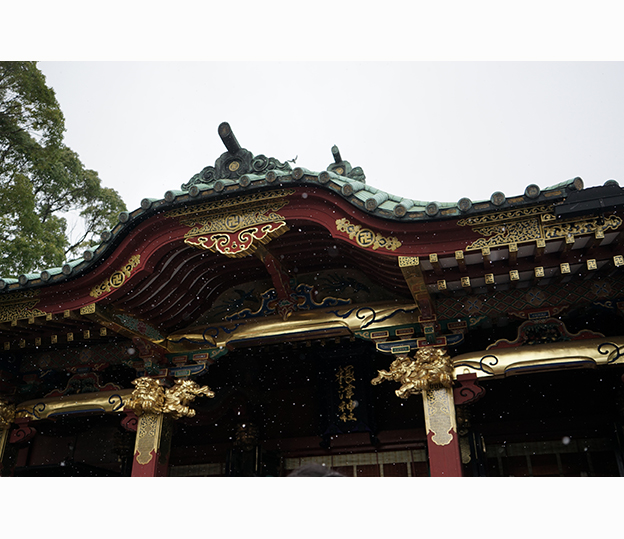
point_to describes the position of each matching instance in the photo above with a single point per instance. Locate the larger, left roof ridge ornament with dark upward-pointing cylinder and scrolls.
(234, 163)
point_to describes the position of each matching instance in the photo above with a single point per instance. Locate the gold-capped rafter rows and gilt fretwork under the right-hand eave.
(525, 252)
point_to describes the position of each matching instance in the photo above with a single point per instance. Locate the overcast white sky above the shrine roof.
(423, 130)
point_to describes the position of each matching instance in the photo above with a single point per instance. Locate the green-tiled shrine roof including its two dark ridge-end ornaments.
(238, 172)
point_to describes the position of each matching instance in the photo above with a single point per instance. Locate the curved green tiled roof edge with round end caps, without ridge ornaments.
(372, 202)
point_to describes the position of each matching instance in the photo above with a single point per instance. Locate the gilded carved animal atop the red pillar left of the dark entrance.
(150, 397)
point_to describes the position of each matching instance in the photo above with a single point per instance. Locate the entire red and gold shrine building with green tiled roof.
(265, 316)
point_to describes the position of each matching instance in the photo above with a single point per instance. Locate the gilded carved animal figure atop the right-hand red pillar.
(431, 367)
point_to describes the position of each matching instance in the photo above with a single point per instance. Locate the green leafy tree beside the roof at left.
(41, 178)
